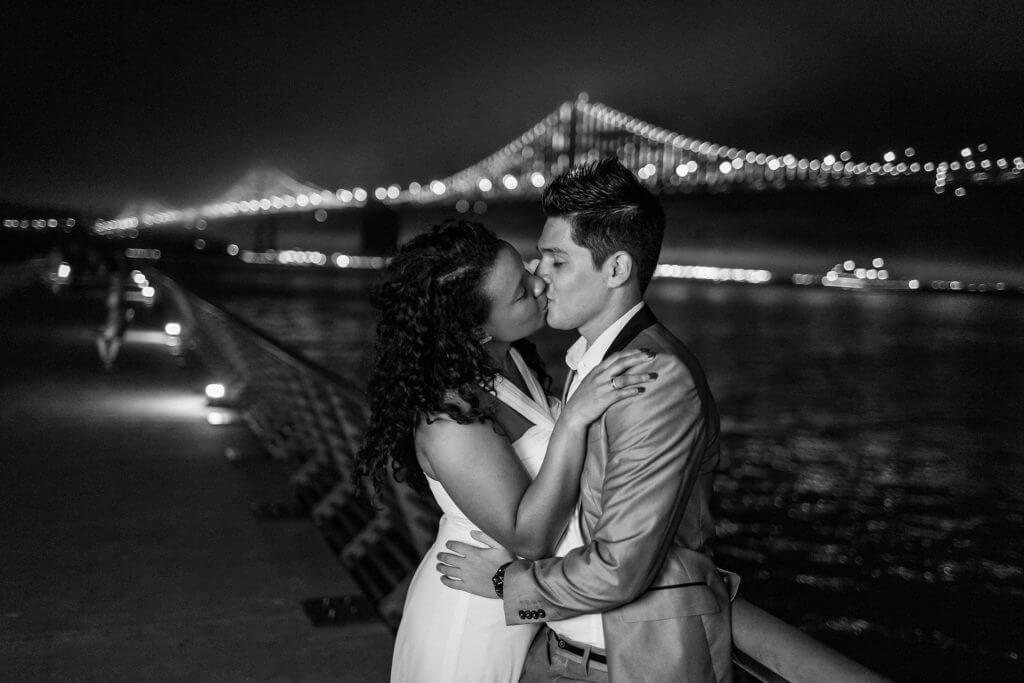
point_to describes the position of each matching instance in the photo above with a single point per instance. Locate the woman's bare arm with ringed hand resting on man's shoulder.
(483, 475)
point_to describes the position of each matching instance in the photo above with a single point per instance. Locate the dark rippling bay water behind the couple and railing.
(873, 489)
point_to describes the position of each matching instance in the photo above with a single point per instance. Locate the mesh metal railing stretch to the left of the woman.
(313, 420)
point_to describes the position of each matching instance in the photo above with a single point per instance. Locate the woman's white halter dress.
(448, 635)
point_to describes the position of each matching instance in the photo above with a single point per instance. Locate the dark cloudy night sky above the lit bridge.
(173, 103)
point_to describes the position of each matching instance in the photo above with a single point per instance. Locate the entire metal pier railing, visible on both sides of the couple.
(314, 420)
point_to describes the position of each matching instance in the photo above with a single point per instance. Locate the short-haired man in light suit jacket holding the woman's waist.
(642, 600)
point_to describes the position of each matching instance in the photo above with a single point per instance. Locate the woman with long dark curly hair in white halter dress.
(459, 407)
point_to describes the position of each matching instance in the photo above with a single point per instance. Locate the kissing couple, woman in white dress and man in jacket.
(573, 542)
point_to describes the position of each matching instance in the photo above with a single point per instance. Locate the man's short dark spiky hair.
(610, 211)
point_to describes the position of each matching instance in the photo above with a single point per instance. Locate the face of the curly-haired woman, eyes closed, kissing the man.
(519, 304)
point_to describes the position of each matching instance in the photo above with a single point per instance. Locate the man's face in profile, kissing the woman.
(577, 291)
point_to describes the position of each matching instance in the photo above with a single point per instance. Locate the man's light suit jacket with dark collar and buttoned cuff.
(646, 495)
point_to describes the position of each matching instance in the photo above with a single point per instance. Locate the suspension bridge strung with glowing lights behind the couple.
(580, 132)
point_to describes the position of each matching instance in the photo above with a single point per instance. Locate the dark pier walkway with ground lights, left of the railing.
(131, 550)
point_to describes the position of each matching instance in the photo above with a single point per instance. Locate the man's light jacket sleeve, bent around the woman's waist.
(656, 448)
